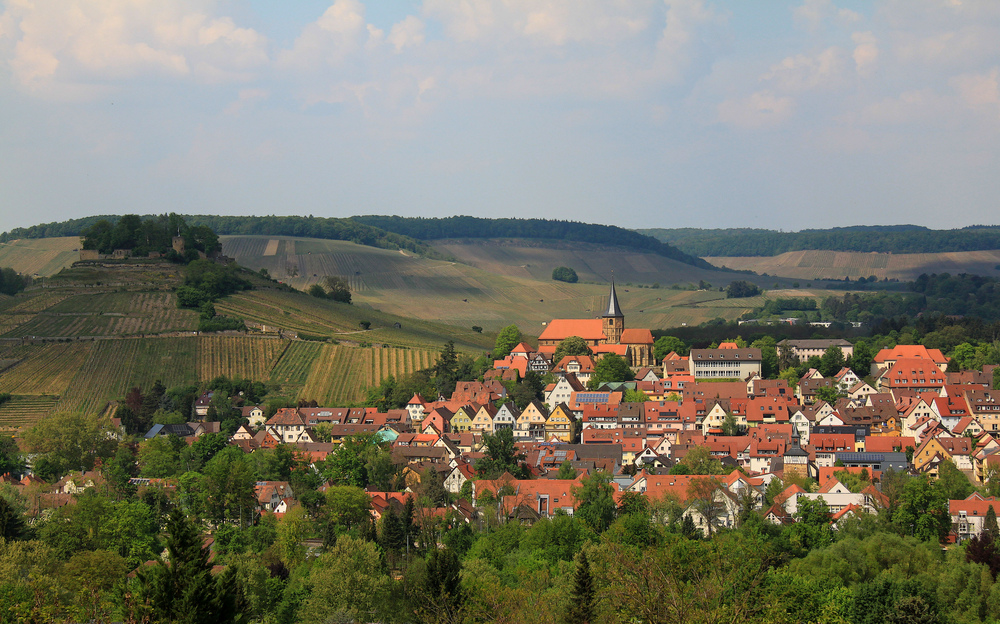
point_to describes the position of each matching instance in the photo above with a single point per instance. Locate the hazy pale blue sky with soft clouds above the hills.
(637, 113)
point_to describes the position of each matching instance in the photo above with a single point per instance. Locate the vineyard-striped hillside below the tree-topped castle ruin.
(89, 334)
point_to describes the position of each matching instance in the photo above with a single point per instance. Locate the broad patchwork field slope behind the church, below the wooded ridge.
(498, 283)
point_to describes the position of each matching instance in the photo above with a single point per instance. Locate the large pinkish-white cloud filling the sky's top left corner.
(62, 45)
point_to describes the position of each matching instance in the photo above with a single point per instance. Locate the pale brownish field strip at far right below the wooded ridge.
(814, 265)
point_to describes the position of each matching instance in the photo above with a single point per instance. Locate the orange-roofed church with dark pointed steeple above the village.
(606, 334)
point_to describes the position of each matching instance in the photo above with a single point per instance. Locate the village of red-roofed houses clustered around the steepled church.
(772, 445)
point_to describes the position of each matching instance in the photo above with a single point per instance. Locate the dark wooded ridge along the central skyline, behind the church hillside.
(476, 227)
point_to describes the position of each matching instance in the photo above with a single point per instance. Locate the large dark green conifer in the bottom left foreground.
(182, 588)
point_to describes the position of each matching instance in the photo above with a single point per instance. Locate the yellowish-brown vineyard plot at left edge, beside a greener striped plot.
(48, 371)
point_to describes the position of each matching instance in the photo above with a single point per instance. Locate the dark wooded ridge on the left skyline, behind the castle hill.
(311, 227)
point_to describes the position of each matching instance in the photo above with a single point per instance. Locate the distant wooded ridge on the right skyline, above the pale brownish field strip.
(881, 238)
